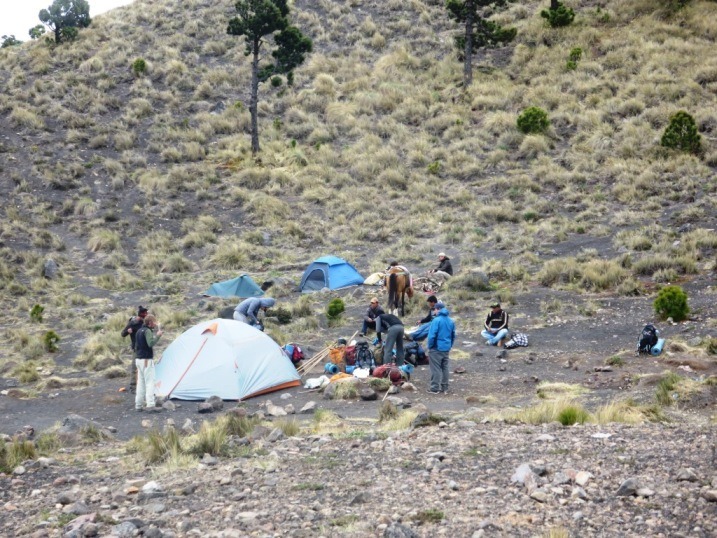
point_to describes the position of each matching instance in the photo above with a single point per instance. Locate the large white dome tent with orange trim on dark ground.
(226, 358)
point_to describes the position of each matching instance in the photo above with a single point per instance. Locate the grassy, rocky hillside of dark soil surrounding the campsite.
(143, 190)
